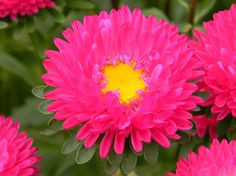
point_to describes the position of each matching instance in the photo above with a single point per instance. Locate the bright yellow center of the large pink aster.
(125, 79)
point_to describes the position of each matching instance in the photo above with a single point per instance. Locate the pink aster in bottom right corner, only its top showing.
(219, 160)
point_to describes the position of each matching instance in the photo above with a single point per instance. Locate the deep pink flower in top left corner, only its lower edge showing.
(13, 8)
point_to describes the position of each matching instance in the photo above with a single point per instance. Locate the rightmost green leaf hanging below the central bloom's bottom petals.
(151, 152)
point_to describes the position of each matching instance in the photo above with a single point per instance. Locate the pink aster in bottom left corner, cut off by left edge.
(17, 156)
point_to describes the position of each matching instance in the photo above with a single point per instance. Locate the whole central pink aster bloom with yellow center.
(122, 75)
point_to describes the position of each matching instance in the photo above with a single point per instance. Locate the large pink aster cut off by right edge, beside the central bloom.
(217, 49)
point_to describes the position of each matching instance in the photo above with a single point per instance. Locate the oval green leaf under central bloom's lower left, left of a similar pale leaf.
(70, 145)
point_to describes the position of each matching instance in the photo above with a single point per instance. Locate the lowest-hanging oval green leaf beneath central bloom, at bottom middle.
(128, 162)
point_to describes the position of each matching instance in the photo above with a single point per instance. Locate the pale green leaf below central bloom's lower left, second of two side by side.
(84, 155)
